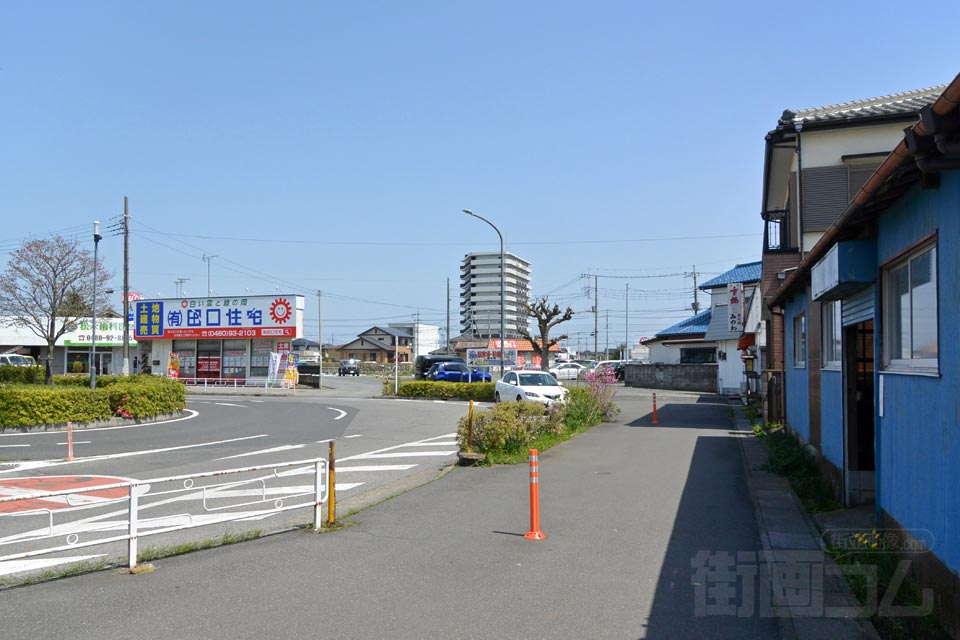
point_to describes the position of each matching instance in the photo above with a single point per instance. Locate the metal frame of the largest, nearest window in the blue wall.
(890, 306)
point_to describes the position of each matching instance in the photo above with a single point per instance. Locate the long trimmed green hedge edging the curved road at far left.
(124, 396)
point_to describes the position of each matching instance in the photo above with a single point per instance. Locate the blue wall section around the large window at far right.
(918, 437)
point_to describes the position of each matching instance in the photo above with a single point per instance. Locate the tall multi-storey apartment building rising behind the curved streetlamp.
(480, 294)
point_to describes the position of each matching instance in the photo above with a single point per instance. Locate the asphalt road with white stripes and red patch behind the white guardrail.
(379, 442)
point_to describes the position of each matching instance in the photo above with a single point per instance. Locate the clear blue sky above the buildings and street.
(330, 146)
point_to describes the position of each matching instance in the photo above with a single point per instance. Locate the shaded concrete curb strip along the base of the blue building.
(784, 525)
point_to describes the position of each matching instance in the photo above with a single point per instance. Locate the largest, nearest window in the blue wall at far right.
(910, 340)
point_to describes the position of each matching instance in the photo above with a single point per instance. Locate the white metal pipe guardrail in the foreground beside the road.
(90, 511)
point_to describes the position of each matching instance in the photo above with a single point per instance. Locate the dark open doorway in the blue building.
(860, 468)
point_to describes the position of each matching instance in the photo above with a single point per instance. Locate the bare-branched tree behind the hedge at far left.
(48, 286)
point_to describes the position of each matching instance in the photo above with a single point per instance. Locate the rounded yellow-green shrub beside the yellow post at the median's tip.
(510, 426)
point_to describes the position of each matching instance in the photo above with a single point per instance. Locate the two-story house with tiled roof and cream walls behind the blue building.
(815, 161)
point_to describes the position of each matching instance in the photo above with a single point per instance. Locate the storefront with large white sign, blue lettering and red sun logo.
(222, 338)
